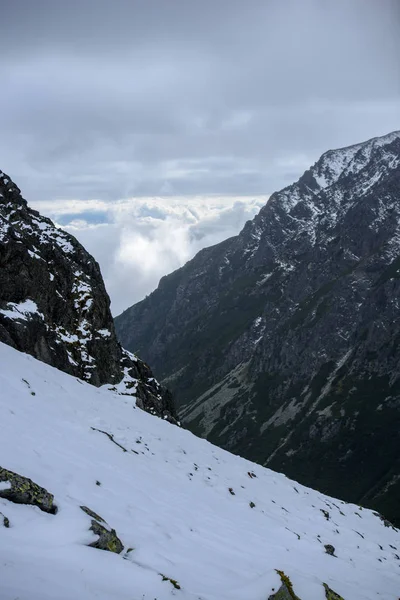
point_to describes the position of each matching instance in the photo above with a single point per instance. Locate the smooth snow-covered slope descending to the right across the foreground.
(181, 507)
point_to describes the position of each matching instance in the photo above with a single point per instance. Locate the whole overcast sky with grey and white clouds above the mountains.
(120, 113)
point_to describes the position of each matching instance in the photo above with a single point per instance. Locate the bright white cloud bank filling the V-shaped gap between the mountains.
(138, 240)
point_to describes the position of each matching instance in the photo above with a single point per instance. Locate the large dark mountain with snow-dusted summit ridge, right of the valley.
(282, 344)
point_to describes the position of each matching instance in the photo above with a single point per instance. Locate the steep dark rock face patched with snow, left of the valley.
(53, 305)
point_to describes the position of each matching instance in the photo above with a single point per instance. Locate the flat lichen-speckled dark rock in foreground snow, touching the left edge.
(25, 491)
